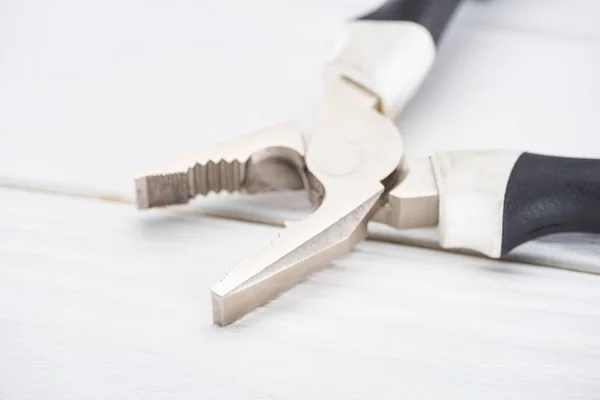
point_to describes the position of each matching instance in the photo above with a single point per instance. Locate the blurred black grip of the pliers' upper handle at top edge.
(431, 14)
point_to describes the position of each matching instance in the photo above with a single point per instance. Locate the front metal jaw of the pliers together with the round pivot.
(353, 158)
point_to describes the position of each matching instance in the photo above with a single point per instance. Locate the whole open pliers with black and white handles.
(351, 165)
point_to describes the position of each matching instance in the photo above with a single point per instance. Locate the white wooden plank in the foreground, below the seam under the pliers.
(98, 301)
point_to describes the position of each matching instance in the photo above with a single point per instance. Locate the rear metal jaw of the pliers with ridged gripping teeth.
(267, 160)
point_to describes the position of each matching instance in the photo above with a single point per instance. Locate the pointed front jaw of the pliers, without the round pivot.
(301, 249)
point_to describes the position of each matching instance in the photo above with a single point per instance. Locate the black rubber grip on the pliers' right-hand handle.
(549, 194)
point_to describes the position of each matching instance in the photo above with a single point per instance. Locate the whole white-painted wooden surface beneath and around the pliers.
(100, 301)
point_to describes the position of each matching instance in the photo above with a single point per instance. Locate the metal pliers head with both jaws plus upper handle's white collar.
(348, 162)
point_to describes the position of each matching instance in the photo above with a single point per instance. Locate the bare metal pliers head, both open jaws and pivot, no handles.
(347, 164)
